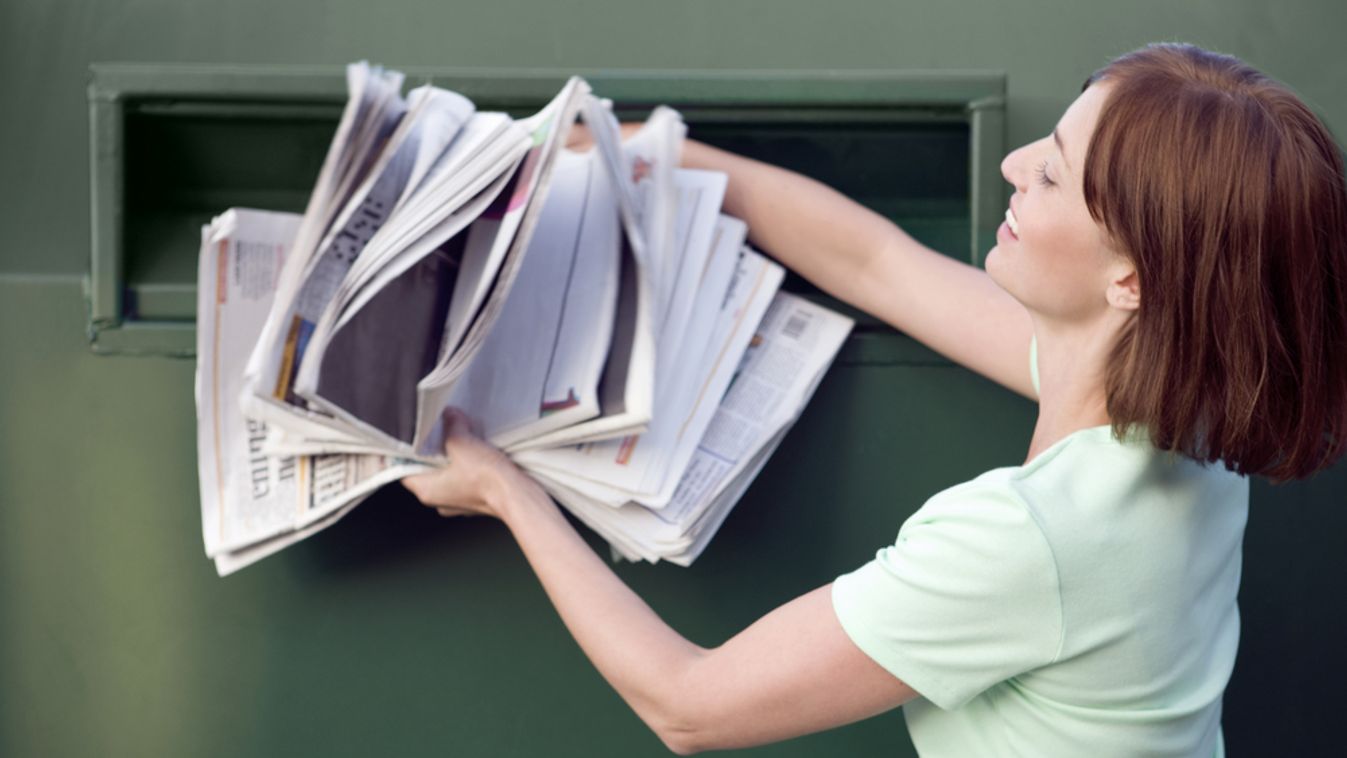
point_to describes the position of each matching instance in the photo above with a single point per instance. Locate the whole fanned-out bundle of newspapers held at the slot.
(595, 312)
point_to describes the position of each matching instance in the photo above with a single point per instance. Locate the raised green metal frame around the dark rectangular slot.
(705, 98)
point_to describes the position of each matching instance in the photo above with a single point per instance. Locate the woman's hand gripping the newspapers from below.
(476, 479)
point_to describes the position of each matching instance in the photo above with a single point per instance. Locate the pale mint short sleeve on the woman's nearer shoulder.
(966, 598)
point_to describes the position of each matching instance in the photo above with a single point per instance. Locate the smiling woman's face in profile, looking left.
(1051, 255)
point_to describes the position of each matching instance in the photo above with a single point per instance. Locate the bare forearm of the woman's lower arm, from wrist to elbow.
(631, 647)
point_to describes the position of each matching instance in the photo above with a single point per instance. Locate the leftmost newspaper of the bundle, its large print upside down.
(250, 497)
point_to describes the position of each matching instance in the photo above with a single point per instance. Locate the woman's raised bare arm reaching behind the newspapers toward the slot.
(864, 259)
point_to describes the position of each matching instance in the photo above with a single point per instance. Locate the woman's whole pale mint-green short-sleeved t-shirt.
(1080, 605)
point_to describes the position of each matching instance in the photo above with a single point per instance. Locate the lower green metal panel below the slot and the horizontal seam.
(395, 632)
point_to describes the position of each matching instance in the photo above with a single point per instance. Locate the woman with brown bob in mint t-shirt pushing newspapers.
(1171, 286)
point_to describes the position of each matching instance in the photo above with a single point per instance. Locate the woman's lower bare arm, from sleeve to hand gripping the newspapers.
(793, 673)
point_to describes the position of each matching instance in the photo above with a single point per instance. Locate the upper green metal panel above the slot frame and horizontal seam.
(1047, 48)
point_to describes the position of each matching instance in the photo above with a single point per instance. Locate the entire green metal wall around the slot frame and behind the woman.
(399, 633)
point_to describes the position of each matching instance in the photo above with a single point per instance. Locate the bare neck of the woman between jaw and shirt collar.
(1072, 380)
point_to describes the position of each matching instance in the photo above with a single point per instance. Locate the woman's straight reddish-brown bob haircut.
(1228, 195)
